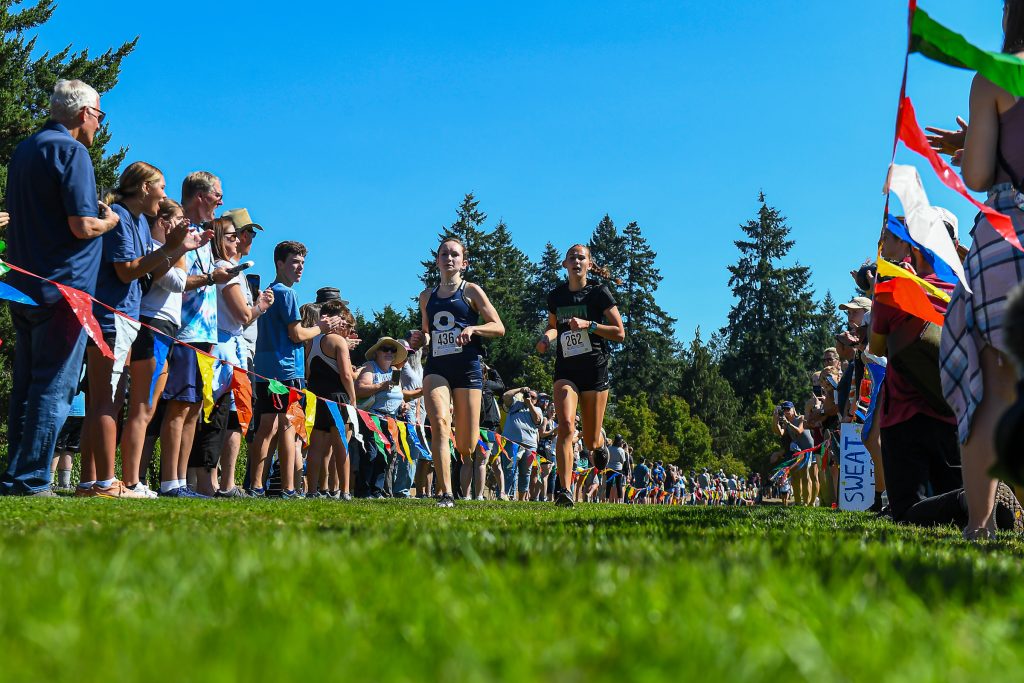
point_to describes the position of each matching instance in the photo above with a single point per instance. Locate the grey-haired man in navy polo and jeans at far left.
(55, 222)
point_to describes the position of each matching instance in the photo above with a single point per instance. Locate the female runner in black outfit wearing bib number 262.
(582, 319)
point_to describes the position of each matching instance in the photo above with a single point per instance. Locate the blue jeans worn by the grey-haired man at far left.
(49, 357)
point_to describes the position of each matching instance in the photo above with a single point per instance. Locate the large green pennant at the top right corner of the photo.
(940, 44)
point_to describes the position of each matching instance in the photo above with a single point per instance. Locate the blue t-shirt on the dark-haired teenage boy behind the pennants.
(277, 356)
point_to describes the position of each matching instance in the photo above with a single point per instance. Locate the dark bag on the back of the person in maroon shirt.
(914, 351)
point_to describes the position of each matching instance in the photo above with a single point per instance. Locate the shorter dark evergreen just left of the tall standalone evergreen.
(710, 396)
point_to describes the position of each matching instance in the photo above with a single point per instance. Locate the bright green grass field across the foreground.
(399, 590)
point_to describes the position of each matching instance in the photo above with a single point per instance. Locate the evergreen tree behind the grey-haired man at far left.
(26, 86)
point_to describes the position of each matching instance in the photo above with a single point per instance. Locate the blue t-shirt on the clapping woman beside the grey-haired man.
(129, 241)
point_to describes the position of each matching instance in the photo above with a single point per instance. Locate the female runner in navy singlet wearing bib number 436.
(451, 317)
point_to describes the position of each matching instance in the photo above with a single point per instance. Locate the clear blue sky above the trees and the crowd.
(358, 129)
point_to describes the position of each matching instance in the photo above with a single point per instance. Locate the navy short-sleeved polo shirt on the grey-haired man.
(51, 178)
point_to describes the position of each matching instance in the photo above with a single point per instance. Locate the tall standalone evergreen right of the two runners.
(772, 324)
